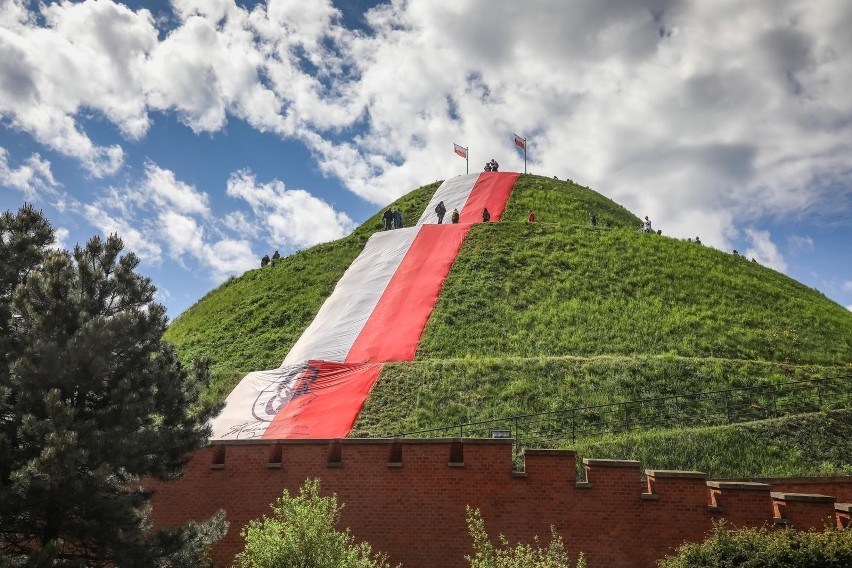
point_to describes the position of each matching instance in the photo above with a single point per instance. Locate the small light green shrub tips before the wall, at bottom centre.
(523, 555)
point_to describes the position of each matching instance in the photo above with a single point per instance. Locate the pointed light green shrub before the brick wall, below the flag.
(301, 533)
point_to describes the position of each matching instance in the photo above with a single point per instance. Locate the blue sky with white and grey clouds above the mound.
(208, 133)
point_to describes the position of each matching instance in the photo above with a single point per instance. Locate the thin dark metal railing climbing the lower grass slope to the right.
(710, 408)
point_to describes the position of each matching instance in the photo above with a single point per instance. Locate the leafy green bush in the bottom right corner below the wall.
(762, 548)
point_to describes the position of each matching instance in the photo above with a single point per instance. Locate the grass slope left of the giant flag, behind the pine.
(251, 322)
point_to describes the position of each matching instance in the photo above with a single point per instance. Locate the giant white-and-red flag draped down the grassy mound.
(376, 313)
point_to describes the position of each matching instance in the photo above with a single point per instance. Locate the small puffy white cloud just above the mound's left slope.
(292, 216)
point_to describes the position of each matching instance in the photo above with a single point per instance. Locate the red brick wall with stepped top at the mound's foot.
(409, 499)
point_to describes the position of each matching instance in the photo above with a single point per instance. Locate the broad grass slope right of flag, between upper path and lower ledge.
(529, 290)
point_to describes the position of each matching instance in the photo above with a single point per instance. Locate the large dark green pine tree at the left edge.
(91, 401)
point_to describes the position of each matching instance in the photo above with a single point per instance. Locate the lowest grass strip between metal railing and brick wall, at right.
(804, 445)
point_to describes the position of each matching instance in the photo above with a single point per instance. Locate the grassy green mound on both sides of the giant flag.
(560, 314)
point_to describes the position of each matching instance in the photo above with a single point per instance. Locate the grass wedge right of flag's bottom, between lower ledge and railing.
(430, 394)
